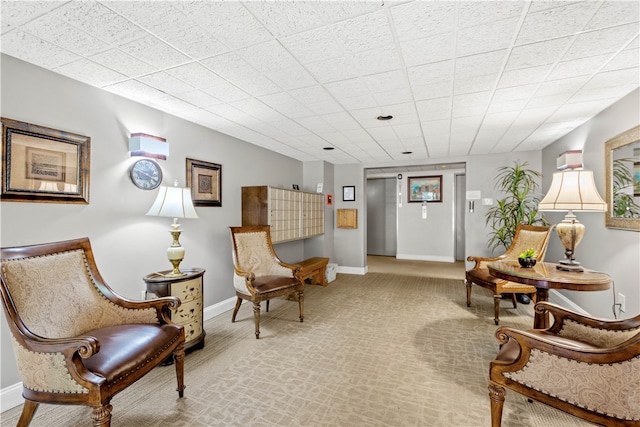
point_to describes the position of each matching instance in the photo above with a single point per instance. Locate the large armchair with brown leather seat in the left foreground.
(75, 340)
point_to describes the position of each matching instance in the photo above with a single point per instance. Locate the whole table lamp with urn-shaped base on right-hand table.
(572, 190)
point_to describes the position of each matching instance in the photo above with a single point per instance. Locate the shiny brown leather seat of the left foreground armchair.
(123, 348)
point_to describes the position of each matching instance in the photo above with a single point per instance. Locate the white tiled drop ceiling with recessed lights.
(459, 77)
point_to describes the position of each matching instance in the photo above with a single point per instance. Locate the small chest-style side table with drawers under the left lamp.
(189, 289)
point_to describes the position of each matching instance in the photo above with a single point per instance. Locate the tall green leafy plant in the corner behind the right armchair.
(520, 206)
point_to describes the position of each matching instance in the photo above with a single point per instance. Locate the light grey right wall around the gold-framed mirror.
(612, 251)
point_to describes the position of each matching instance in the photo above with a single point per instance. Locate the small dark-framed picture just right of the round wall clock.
(205, 181)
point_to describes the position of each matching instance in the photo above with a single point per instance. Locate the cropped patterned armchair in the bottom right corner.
(581, 365)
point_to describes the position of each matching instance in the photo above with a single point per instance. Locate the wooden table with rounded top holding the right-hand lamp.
(545, 276)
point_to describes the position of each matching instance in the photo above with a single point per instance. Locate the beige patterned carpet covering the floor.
(374, 350)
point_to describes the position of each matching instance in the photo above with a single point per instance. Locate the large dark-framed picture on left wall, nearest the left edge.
(40, 164)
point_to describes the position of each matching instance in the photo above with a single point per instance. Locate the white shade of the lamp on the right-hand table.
(573, 190)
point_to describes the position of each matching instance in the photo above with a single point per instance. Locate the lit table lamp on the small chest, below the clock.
(174, 202)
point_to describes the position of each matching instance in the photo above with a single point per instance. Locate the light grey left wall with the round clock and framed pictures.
(127, 244)
